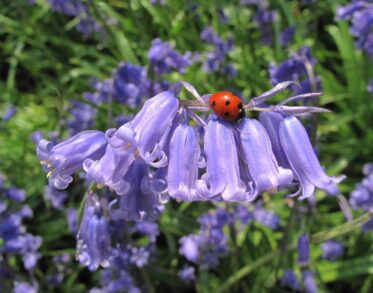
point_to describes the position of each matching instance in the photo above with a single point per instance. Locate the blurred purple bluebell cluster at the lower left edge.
(14, 239)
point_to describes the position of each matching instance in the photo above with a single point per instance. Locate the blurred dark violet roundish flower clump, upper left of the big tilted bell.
(130, 84)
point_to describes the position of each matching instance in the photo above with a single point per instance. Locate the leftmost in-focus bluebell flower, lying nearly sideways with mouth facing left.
(67, 157)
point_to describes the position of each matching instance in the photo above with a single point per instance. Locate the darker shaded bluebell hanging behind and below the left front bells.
(138, 203)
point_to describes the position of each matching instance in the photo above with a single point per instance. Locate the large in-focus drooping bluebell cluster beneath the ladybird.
(158, 154)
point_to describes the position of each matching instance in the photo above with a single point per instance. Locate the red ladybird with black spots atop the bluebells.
(227, 106)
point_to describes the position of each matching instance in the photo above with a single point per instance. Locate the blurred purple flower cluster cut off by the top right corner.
(361, 15)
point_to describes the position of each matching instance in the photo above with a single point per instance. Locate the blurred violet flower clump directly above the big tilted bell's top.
(164, 59)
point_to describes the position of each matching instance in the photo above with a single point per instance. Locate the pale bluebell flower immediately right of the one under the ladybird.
(263, 169)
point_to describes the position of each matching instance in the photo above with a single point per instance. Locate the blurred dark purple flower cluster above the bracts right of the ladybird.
(299, 68)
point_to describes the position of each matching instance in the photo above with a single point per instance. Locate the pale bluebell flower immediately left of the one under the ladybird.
(182, 172)
